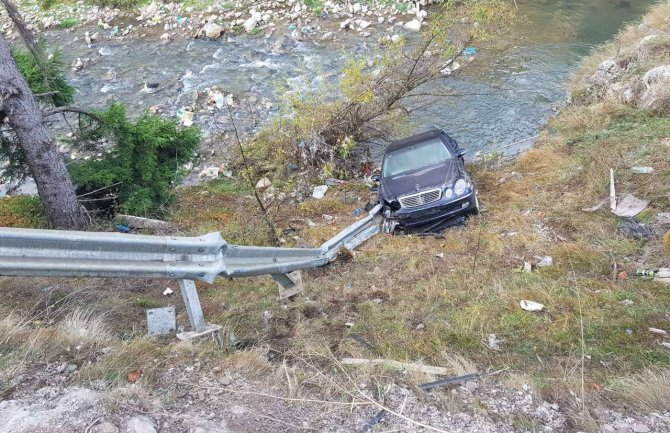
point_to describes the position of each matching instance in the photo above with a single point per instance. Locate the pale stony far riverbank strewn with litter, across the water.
(305, 19)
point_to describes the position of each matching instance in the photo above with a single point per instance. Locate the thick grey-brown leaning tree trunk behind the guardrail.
(39, 146)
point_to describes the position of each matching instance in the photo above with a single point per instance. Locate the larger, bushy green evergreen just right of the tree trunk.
(144, 166)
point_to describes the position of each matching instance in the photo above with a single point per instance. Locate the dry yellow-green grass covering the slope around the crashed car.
(412, 305)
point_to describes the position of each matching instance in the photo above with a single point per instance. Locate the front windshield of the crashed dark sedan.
(415, 157)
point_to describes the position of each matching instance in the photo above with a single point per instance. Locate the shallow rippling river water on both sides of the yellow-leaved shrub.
(511, 95)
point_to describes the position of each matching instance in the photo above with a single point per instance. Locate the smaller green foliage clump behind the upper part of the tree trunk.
(51, 80)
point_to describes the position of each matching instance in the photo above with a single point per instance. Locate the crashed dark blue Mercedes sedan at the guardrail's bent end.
(423, 182)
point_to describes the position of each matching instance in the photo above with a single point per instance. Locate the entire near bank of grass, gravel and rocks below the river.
(588, 361)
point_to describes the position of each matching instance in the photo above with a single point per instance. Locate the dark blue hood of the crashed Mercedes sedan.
(406, 183)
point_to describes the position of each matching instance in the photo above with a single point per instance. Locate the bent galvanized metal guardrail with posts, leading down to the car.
(54, 253)
